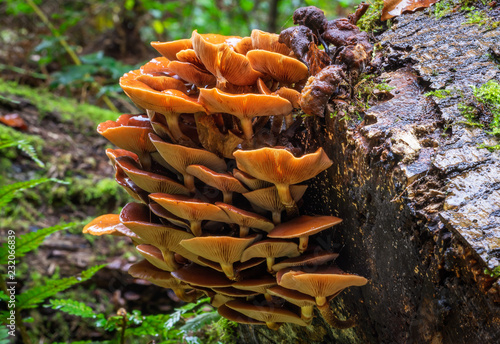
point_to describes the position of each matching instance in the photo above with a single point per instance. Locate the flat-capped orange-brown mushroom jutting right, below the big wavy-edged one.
(303, 227)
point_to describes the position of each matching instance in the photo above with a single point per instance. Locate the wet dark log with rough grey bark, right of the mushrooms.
(419, 199)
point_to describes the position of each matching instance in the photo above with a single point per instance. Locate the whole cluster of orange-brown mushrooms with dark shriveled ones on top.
(217, 152)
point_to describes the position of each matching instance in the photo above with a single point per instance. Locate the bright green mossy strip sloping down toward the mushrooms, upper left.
(46, 102)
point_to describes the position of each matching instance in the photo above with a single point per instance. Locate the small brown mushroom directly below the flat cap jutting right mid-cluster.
(270, 249)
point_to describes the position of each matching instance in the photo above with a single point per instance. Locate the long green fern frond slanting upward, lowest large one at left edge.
(32, 297)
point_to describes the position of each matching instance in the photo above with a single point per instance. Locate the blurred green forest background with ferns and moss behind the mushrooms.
(60, 61)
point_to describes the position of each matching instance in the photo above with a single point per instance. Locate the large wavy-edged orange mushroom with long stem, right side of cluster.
(263, 164)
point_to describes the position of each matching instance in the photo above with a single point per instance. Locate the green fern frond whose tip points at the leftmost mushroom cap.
(30, 241)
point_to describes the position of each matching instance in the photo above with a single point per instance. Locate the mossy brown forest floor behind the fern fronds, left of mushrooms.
(64, 136)
